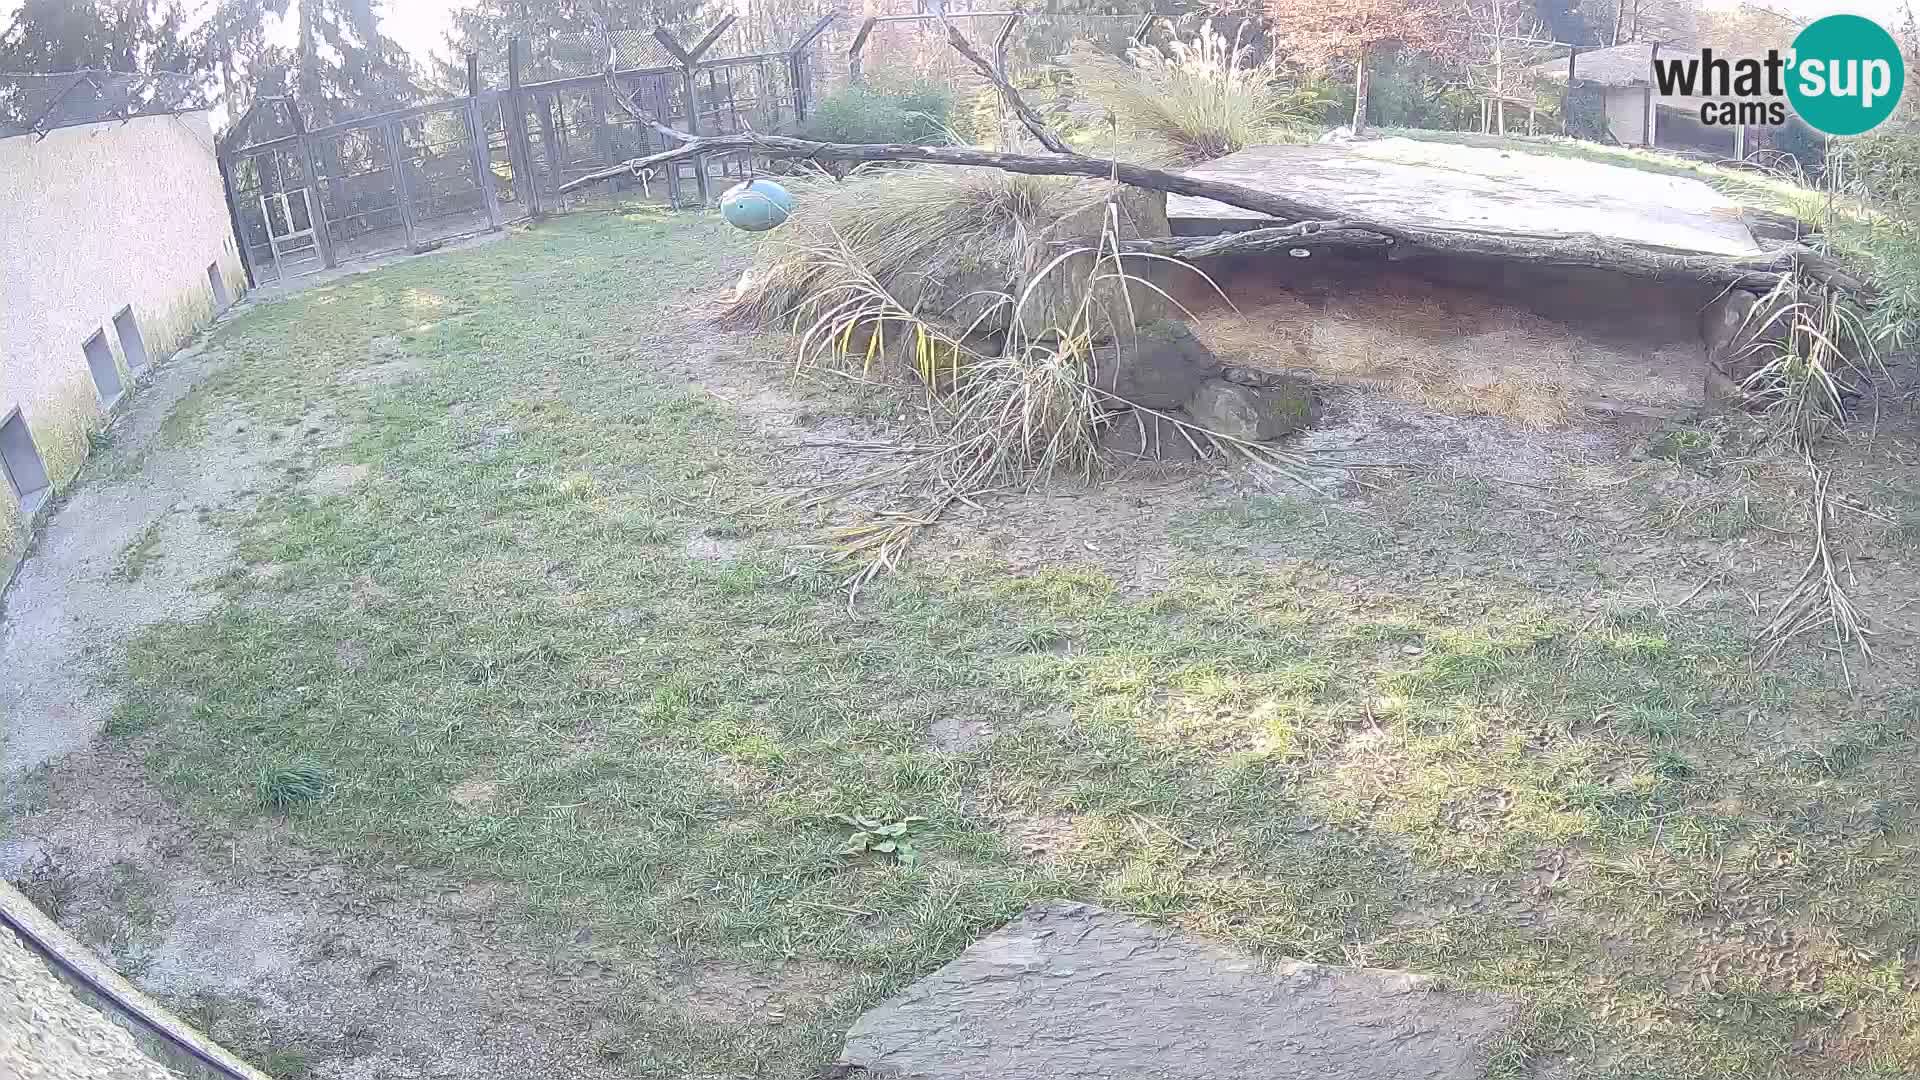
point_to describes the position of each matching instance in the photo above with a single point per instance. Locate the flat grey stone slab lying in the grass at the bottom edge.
(1072, 991)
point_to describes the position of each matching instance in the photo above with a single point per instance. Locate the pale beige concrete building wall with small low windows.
(99, 218)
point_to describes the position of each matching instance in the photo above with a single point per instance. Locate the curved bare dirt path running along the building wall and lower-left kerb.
(302, 964)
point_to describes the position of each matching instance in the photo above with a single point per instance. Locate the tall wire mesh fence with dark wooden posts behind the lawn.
(575, 107)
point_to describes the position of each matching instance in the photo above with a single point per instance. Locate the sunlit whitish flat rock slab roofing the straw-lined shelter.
(1441, 185)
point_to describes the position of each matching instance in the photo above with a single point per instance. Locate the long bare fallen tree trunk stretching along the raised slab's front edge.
(1310, 226)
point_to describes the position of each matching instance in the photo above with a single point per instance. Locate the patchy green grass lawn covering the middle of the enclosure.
(542, 645)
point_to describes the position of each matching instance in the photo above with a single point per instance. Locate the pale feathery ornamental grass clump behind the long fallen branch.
(1193, 101)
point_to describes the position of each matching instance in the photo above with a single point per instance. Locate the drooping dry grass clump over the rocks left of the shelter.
(1005, 410)
